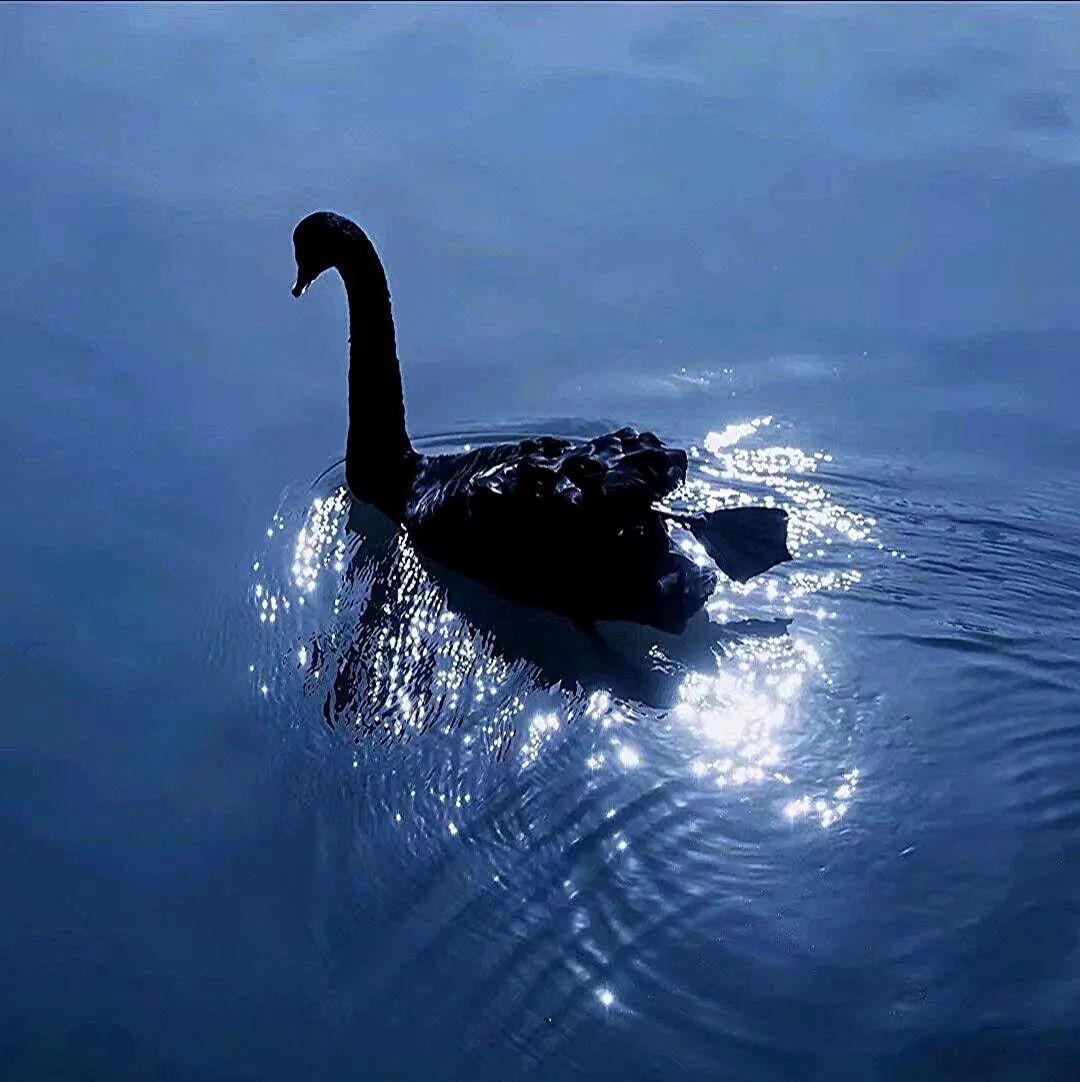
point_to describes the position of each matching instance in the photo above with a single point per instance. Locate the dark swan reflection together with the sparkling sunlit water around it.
(398, 648)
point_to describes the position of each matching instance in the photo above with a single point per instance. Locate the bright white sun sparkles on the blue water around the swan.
(407, 663)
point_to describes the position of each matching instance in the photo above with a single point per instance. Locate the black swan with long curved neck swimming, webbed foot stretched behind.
(568, 525)
